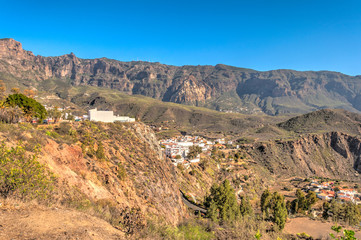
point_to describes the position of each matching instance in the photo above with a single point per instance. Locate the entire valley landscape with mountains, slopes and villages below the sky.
(211, 152)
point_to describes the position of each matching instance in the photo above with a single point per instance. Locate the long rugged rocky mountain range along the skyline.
(220, 87)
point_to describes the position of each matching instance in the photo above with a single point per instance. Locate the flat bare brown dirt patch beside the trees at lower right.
(316, 229)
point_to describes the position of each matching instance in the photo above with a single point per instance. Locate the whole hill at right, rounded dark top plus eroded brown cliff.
(324, 143)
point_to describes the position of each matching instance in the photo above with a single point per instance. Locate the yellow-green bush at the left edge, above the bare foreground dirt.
(22, 176)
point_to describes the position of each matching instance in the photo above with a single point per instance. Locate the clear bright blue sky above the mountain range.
(263, 35)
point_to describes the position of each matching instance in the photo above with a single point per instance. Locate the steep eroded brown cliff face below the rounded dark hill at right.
(332, 154)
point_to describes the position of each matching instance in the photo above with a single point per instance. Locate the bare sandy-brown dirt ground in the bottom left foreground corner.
(54, 224)
